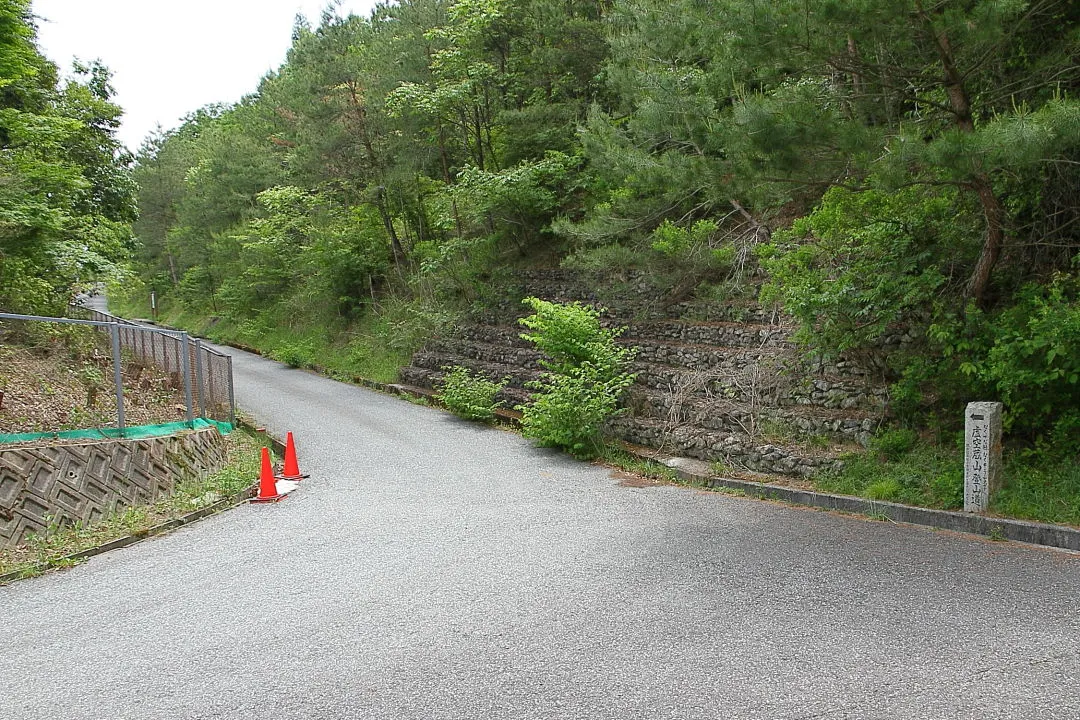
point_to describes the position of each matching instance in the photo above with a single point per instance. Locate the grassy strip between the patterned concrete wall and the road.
(61, 540)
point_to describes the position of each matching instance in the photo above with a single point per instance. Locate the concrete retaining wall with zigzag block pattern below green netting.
(82, 483)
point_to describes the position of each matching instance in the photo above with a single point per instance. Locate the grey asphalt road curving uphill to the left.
(435, 569)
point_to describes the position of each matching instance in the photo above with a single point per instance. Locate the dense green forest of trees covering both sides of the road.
(866, 165)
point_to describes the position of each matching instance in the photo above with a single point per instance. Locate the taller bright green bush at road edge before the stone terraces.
(587, 375)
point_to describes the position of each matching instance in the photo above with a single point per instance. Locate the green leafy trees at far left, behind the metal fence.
(67, 197)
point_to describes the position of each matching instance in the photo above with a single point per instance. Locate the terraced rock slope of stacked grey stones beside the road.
(736, 392)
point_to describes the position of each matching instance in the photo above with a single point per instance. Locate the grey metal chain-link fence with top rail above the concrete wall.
(207, 375)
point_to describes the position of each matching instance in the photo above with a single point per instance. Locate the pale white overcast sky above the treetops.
(170, 58)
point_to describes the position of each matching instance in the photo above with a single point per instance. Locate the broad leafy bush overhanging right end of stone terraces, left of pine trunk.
(863, 262)
